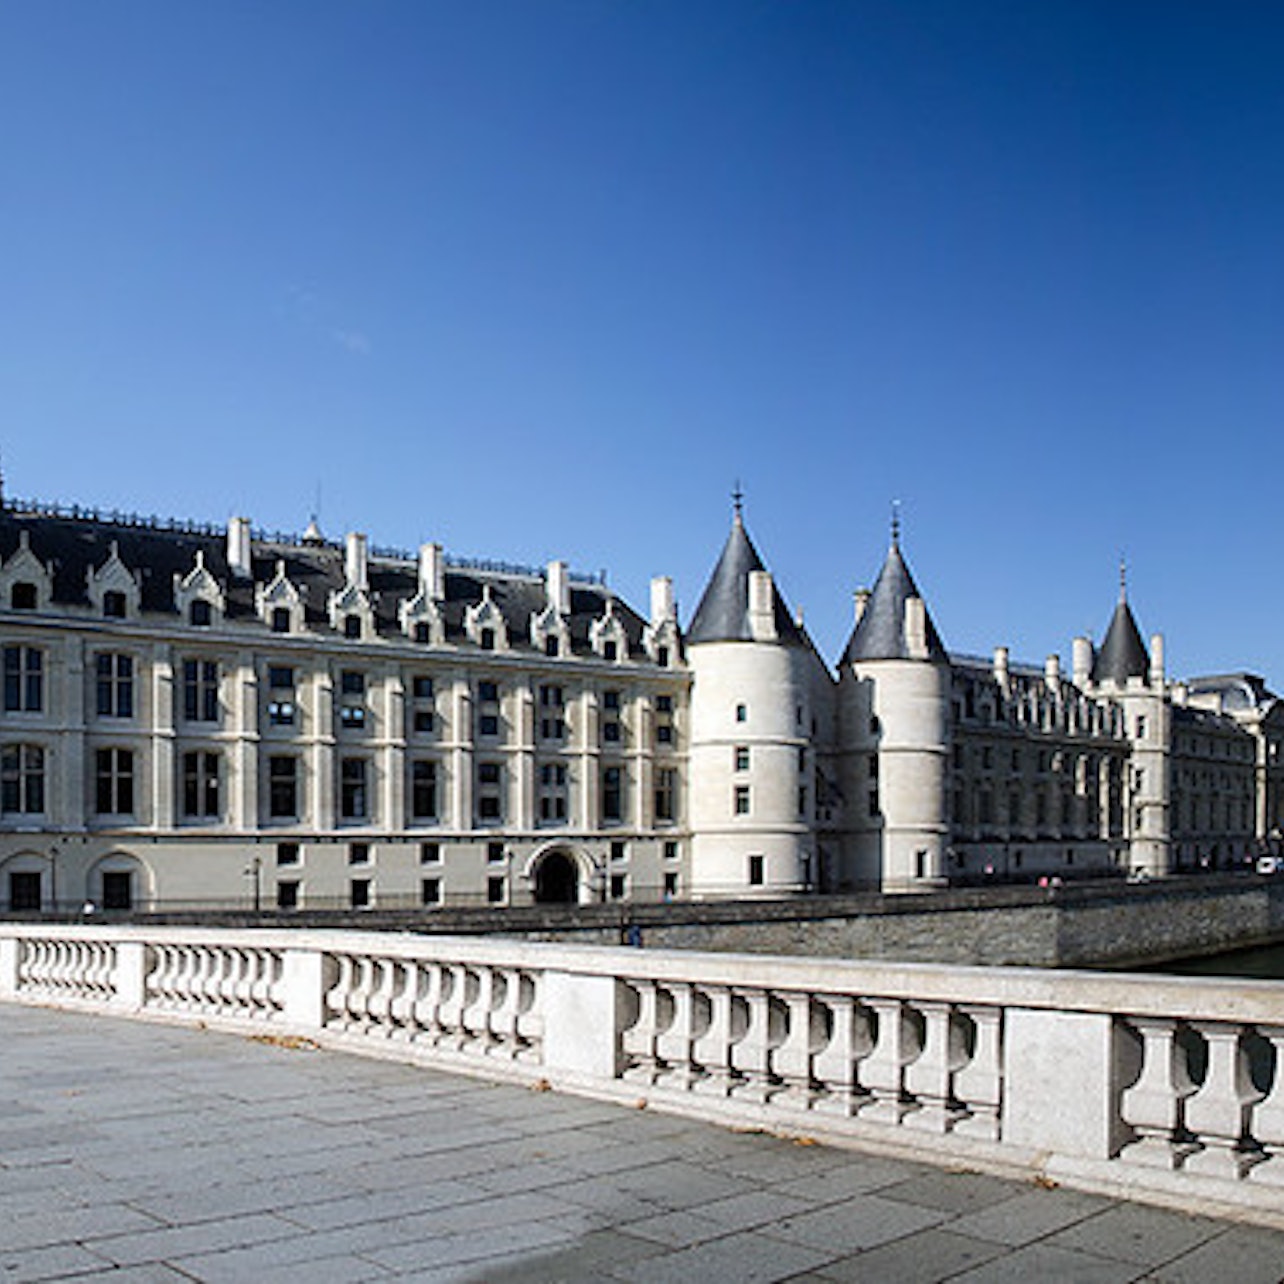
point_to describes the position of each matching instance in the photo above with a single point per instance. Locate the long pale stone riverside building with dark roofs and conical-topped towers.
(206, 717)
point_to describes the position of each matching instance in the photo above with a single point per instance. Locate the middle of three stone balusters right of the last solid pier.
(1219, 1111)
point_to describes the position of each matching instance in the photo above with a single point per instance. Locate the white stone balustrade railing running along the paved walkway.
(1170, 1089)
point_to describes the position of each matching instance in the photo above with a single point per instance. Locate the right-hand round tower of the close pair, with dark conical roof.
(894, 711)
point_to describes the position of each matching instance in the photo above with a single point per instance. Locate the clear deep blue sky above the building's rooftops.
(545, 278)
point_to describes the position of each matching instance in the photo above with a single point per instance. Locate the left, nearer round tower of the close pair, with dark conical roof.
(749, 729)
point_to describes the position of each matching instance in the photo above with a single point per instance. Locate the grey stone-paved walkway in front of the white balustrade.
(134, 1152)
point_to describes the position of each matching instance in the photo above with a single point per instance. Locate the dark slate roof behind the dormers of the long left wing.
(74, 546)
